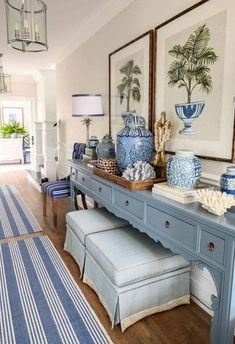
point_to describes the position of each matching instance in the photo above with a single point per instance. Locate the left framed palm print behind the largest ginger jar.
(130, 81)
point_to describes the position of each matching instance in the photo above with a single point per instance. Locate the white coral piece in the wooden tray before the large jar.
(140, 170)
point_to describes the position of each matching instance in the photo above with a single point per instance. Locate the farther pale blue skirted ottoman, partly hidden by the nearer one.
(82, 223)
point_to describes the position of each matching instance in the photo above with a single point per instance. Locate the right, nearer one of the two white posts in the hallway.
(49, 149)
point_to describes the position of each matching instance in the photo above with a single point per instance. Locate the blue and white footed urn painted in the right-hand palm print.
(188, 112)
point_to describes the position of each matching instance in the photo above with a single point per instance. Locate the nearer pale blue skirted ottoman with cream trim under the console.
(133, 275)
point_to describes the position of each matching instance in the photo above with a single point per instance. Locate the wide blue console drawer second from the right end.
(179, 230)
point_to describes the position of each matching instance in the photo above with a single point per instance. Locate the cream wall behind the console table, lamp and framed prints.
(86, 70)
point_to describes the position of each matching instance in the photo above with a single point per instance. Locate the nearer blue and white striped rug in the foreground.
(39, 300)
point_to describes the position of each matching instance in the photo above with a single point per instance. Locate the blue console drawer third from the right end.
(129, 204)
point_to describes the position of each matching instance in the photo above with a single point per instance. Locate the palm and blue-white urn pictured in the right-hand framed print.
(191, 71)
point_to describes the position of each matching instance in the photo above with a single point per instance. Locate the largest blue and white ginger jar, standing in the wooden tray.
(134, 142)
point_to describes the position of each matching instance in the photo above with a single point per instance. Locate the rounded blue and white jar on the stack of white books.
(183, 170)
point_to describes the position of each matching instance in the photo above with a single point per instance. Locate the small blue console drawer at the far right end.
(212, 246)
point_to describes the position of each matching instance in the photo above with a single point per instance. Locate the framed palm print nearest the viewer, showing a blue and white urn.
(195, 54)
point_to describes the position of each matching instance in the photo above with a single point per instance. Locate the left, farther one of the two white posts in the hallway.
(38, 154)
